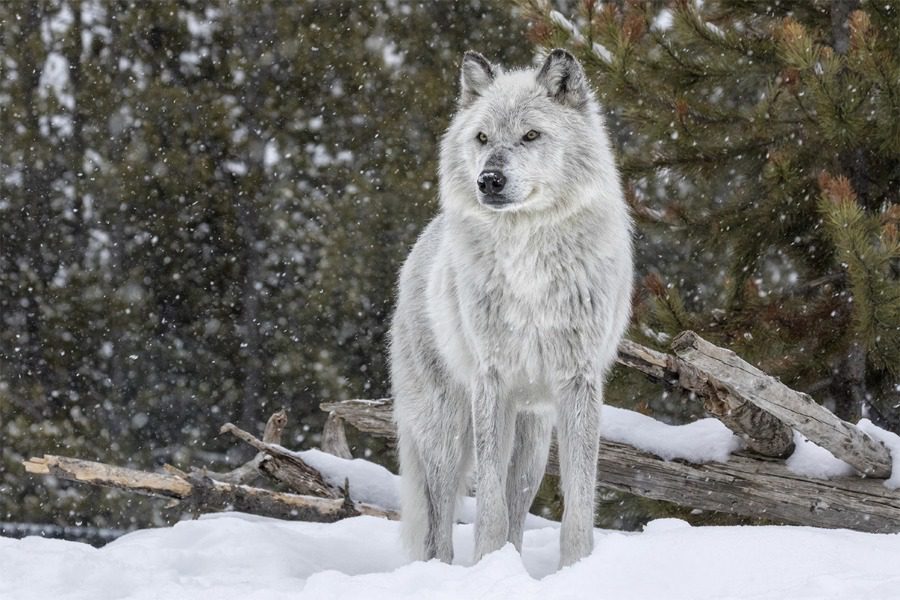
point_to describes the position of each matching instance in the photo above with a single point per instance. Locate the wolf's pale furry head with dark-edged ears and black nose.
(523, 141)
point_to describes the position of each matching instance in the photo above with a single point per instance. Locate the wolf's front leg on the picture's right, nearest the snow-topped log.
(578, 431)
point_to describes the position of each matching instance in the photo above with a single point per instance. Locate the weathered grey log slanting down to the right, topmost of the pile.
(732, 377)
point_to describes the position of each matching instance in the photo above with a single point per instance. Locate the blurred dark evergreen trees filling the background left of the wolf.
(203, 207)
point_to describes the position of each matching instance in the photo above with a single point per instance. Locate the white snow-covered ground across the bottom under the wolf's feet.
(233, 556)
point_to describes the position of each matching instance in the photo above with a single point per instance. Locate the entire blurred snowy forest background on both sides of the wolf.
(204, 205)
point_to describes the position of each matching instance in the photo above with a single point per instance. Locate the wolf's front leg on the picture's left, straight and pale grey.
(493, 421)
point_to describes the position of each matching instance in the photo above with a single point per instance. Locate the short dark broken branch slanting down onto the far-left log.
(283, 465)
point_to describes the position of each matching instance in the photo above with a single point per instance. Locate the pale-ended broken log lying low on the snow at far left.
(199, 493)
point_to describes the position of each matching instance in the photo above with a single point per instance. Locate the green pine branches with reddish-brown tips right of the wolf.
(760, 143)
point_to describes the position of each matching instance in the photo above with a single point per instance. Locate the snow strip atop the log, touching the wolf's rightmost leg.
(706, 440)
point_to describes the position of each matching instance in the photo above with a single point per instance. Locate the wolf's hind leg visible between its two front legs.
(526, 469)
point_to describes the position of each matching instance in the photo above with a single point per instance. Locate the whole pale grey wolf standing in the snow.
(510, 308)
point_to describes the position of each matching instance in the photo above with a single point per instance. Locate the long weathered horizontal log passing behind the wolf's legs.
(743, 486)
